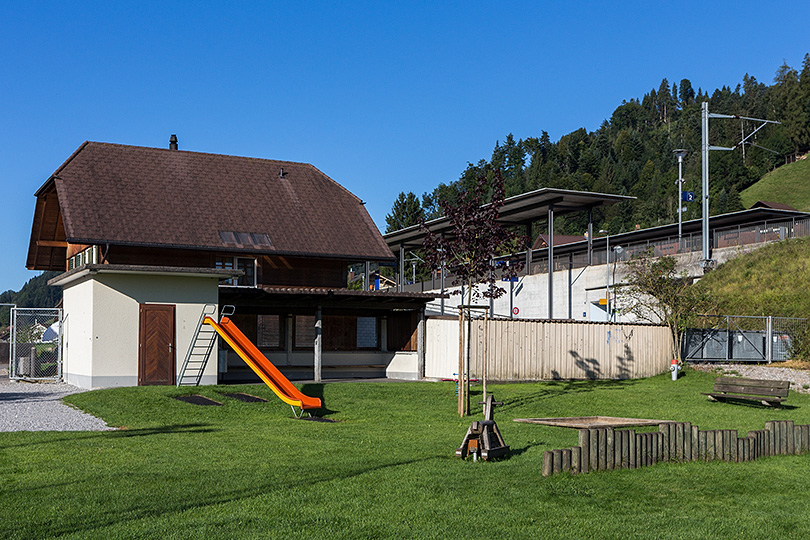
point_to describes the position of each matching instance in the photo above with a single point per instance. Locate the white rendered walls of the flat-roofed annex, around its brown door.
(102, 324)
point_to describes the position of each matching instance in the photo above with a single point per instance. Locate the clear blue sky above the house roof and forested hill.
(383, 97)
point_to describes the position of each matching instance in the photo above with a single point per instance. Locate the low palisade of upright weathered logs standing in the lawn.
(610, 449)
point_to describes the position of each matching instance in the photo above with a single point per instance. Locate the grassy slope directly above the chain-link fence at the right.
(773, 280)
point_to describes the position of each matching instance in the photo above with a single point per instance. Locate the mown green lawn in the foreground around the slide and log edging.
(386, 468)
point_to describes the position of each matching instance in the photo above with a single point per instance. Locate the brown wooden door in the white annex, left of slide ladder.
(156, 357)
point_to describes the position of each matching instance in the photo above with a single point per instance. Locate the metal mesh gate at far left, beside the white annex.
(36, 344)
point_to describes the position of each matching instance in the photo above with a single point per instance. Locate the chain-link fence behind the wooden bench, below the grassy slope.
(727, 338)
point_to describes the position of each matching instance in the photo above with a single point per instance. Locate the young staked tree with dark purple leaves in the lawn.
(468, 251)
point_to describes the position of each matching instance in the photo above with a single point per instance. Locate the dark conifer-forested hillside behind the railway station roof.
(632, 153)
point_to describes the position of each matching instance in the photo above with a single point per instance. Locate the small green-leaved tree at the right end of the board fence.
(656, 293)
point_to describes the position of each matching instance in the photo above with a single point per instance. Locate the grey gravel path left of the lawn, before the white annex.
(38, 407)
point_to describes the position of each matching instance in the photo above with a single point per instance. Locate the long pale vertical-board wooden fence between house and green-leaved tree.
(527, 350)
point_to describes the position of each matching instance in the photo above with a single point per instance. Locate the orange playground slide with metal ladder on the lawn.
(252, 356)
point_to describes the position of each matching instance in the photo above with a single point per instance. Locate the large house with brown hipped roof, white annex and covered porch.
(148, 239)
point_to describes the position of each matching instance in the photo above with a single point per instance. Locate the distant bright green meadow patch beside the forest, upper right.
(789, 184)
